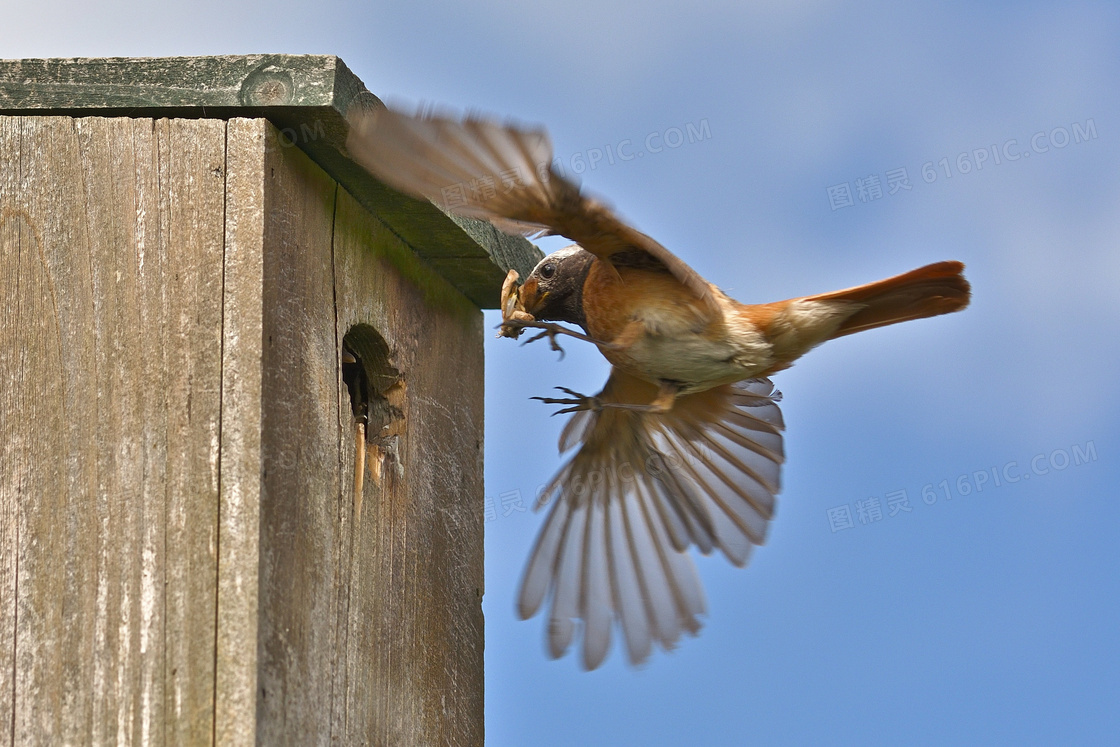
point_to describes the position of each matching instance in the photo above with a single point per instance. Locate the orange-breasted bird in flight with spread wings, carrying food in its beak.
(684, 446)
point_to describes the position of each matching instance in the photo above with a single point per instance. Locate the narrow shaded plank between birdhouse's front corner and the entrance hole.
(302, 464)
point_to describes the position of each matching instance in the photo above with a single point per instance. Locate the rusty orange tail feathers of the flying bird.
(938, 288)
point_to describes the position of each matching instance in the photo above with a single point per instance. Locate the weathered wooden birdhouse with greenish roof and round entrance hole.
(241, 474)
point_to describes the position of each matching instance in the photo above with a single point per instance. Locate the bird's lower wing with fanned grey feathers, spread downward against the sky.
(641, 490)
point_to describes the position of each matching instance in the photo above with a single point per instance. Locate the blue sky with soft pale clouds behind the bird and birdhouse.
(987, 618)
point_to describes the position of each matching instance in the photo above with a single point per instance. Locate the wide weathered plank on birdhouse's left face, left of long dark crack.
(113, 353)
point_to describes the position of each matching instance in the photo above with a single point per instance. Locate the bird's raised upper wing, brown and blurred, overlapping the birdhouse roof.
(503, 174)
